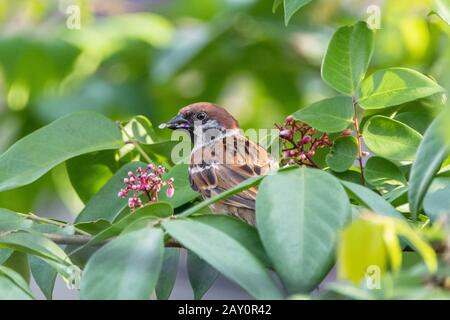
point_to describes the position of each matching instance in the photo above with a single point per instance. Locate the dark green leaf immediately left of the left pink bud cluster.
(106, 205)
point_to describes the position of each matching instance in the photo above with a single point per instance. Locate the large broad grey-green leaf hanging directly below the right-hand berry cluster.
(292, 209)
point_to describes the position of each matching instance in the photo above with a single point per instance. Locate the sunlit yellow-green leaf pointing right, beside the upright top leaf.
(394, 86)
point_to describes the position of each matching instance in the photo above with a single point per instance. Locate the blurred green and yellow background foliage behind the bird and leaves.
(152, 57)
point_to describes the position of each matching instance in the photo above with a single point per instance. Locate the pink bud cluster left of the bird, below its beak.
(148, 182)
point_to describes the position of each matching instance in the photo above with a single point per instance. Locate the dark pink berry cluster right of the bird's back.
(300, 142)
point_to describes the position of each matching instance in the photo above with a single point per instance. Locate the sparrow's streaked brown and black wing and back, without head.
(224, 164)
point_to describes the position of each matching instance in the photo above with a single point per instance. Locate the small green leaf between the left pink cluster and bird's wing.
(183, 191)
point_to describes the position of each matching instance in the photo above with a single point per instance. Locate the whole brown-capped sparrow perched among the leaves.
(222, 157)
